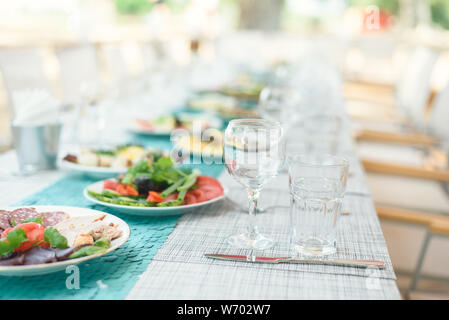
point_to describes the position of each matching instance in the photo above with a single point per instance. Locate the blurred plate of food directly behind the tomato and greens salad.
(108, 162)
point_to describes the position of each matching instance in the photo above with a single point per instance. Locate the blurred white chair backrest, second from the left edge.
(78, 66)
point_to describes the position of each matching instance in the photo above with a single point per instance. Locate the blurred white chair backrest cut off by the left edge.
(23, 69)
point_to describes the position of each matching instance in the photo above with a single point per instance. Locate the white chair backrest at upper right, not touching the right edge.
(414, 87)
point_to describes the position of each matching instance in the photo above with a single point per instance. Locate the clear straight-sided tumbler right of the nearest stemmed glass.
(317, 186)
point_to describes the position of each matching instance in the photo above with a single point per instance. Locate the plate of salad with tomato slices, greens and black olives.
(155, 189)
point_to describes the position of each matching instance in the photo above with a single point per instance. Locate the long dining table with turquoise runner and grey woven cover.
(165, 256)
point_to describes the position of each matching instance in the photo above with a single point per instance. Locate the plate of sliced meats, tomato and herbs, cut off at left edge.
(44, 239)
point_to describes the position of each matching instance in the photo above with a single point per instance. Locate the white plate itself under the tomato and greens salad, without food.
(146, 211)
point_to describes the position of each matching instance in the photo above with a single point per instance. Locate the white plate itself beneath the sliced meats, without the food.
(38, 269)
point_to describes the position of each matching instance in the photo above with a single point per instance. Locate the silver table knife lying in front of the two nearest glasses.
(337, 262)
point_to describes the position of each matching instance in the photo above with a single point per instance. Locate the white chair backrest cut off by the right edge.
(439, 116)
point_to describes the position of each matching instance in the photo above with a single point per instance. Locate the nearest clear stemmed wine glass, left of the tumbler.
(254, 153)
